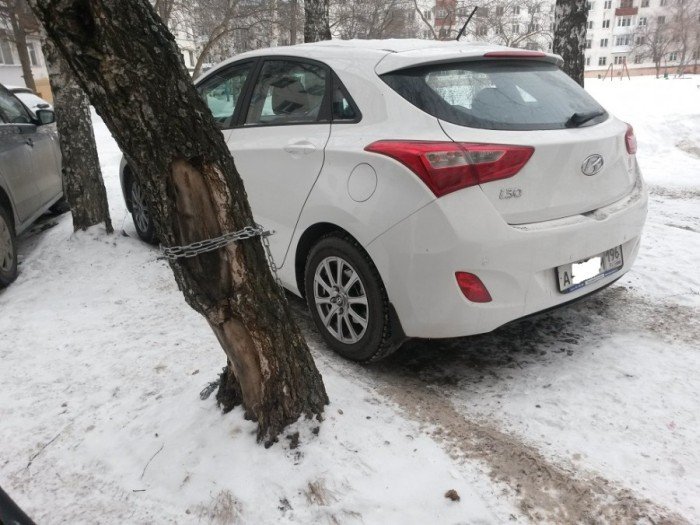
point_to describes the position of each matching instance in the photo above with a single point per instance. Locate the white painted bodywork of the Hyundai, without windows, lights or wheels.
(418, 241)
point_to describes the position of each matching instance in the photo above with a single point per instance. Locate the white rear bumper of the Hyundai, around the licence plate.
(418, 259)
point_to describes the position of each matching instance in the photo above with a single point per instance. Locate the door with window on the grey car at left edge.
(16, 132)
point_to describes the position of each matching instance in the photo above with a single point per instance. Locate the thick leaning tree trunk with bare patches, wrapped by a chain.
(129, 65)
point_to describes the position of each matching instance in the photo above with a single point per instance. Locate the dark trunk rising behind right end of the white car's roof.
(570, 18)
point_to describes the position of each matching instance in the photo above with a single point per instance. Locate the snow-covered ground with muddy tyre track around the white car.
(582, 414)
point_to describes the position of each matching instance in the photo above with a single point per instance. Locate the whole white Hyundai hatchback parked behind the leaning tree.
(425, 189)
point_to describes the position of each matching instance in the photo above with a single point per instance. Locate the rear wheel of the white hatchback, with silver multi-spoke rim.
(353, 317)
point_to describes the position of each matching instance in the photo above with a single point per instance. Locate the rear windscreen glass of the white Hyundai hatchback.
(507, 95)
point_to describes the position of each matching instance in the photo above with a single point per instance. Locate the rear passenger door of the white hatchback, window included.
(278, 143)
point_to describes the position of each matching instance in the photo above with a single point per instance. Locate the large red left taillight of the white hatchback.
(450, 166)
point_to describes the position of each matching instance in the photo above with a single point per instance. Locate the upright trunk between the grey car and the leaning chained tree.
(82, 177)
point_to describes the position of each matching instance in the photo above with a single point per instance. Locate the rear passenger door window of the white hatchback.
(288, 92)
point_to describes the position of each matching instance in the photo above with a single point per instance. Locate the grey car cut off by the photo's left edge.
(30, 174)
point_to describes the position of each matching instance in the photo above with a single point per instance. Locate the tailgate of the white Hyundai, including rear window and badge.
(528, 103)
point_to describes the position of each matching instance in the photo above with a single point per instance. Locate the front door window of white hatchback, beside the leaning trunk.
(222, 91)
